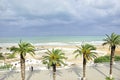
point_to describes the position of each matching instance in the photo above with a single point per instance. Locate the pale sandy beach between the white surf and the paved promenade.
(67, 49)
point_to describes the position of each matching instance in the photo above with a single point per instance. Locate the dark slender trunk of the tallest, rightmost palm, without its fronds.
(111, 60)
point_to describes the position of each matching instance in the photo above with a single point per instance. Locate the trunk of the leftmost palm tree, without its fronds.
(22, 62)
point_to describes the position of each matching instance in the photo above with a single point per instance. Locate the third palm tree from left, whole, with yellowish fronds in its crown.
(88, 54)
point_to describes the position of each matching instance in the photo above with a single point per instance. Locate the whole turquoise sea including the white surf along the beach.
(53, 40)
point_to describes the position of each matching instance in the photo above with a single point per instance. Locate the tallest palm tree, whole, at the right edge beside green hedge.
(113, 40)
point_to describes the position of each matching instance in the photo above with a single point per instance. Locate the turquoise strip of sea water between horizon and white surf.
(46, 39)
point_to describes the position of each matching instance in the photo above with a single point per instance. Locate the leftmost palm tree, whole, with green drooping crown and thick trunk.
(22, 49)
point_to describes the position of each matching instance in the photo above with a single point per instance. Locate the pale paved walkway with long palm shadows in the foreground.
(98, 72)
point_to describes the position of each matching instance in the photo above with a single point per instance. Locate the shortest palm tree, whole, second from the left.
(54, 58)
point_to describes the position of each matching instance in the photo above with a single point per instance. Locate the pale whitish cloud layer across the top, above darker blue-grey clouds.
(73, 8)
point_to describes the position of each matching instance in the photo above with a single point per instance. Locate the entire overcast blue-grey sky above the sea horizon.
(59, 17)
